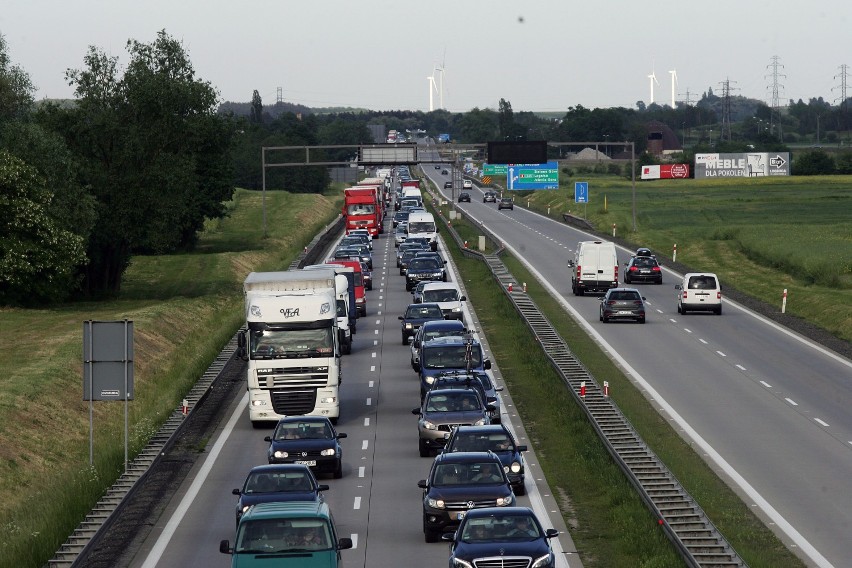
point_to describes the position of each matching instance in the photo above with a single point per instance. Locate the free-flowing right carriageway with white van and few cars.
(768, 408)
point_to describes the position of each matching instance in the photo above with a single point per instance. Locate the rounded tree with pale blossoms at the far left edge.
(38, 258)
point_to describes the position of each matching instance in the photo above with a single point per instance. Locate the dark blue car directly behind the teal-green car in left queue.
(278, 482)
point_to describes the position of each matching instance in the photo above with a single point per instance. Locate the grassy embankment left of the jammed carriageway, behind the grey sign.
(185, 307)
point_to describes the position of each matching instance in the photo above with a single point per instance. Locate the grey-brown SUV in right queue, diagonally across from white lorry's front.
(444, 409)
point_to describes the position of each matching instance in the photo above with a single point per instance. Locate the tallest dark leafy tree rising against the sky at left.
(153, 150)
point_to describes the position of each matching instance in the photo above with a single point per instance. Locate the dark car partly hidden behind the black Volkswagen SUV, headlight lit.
(492, 438)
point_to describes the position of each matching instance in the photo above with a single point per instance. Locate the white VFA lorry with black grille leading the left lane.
(291, 345)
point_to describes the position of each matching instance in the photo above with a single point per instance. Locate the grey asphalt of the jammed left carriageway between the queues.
(377, 502)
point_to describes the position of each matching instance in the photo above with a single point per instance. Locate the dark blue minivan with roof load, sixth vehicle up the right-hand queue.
(449, 353)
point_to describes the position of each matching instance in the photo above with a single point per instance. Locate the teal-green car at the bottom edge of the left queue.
(296, 534)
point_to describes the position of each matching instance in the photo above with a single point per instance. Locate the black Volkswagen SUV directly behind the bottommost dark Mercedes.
(458, 483)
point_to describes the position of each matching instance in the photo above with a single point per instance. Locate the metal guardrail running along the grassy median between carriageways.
(695, 537)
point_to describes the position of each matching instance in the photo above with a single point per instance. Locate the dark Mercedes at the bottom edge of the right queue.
(501, 533)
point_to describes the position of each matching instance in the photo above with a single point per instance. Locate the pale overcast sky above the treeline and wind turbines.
(540, 55)
